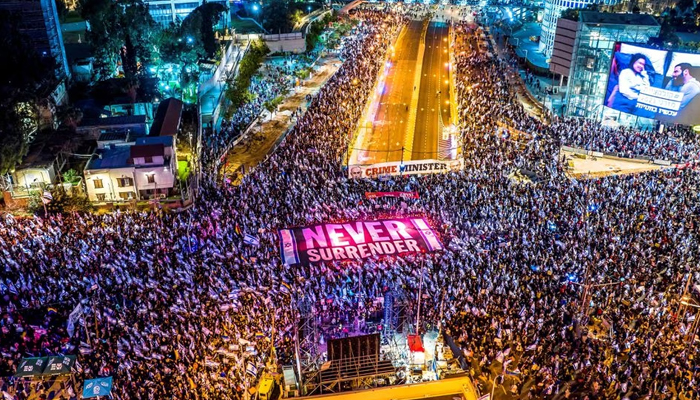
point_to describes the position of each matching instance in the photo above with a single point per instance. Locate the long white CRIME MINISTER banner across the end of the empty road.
(404, 168)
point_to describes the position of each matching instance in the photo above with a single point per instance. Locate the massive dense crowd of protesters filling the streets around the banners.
(560, 289)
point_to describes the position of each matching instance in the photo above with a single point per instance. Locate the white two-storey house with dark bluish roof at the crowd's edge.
(140, 170)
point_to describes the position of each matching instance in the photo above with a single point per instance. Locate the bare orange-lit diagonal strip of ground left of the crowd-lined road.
(261, 139)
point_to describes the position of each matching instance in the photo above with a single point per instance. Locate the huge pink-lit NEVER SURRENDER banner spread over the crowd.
(356, 240)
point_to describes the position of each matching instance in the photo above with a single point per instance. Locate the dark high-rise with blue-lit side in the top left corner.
(38, 19)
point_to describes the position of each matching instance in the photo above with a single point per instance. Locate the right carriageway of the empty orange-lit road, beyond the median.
(433, 111)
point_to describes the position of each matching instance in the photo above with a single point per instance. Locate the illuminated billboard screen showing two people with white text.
(655, 83)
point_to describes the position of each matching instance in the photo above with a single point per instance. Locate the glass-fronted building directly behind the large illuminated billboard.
(591, 57)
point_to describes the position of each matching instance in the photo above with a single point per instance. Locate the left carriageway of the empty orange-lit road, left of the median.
(387, 136)
